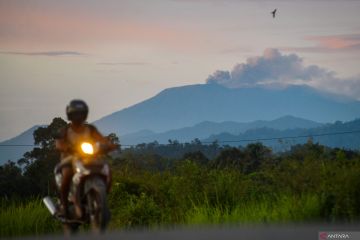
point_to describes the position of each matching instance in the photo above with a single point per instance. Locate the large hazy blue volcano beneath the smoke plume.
(180, 107)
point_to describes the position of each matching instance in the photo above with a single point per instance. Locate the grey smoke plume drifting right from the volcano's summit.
(274, 69)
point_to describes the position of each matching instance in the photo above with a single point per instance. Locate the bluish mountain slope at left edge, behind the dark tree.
(14, 153)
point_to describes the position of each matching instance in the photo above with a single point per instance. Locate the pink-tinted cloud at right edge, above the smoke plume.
(330, 44)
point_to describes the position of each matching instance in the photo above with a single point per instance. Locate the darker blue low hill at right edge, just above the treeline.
(342, 135)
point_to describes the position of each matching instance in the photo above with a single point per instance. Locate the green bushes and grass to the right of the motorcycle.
(309, 183)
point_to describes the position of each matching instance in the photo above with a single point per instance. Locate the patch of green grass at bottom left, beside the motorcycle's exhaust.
(29, 218)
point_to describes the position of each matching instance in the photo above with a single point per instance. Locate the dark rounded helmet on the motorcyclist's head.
(77, 111)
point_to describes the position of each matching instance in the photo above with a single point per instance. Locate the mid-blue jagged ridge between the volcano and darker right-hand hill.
(207, 128)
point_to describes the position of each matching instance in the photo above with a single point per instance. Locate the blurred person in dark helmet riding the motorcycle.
(68, 138)
